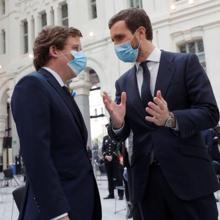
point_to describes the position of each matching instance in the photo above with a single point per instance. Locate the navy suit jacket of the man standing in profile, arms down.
(53, 141)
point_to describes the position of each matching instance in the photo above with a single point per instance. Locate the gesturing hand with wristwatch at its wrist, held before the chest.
(158, 110)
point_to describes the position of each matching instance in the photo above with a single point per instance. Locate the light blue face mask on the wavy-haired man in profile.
(78, 63)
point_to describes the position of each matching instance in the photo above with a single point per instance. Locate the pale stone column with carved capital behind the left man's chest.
(81, 85)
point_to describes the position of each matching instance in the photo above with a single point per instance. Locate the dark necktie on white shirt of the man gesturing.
(146, 95)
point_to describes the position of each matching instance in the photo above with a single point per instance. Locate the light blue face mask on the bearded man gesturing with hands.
(126, 52)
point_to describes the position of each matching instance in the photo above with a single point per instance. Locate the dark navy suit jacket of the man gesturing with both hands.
(183, 158)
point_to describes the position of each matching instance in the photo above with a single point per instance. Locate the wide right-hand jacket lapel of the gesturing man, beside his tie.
(165, 74)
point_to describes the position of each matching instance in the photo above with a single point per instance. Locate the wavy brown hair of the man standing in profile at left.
(51, 36)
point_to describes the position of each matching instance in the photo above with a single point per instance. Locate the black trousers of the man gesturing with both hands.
(160, 203)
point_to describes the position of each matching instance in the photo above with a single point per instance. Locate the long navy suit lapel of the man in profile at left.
(72, 106)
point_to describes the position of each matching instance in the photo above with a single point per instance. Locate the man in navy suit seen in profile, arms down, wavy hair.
(52, 133)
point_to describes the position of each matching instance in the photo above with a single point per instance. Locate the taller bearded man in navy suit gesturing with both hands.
(166, 100)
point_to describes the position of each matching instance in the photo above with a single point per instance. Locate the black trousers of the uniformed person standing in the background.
(115, 176)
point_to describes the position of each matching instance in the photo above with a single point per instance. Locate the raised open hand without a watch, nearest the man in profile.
(116, 111)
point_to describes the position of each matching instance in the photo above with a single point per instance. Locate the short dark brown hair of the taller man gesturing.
(134, 18)
